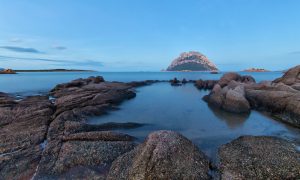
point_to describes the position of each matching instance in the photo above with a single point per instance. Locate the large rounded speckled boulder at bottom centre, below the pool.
(164, 155)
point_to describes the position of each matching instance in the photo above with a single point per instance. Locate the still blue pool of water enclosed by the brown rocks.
(182, 109)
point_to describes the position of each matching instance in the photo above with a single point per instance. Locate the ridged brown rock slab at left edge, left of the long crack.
(23, 128)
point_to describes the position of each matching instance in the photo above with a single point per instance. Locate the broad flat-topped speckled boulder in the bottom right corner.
(250, 157)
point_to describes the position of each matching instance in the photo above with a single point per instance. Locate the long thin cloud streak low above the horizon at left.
(57, 61)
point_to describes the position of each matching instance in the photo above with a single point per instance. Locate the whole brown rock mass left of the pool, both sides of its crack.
(43, 140)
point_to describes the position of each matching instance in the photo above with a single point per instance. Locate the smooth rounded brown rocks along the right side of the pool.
(240, 94)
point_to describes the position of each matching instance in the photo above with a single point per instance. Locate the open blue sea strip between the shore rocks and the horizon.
(35, 83)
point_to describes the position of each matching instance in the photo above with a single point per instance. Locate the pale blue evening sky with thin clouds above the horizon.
(146, 35)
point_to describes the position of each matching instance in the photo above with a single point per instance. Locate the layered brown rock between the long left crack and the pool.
(74, 145)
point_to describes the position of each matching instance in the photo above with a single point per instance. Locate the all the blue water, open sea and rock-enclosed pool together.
(161, 106)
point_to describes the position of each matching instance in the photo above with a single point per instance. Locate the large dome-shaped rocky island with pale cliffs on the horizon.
(192, 61)
